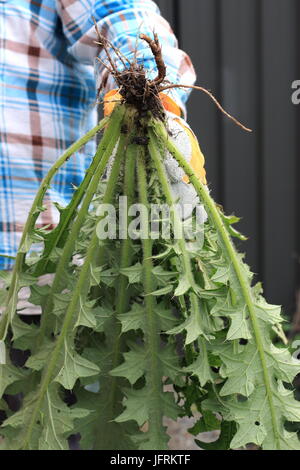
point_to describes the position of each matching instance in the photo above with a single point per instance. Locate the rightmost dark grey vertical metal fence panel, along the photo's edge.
(279, 148)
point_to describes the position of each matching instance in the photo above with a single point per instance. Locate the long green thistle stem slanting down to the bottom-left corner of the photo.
(81, 288)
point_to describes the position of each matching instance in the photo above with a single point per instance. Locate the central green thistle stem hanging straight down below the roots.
(152, 335)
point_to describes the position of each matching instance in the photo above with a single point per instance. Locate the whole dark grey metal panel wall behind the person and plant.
(247, 53)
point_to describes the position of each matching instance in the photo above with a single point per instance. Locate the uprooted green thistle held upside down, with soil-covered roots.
(139, 328)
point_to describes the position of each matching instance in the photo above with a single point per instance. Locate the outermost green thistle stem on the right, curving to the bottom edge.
(232, 257)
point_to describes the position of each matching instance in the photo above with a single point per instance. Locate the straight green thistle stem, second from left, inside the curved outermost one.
(103, 154)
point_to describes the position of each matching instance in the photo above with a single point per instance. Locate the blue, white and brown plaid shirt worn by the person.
(48, 92)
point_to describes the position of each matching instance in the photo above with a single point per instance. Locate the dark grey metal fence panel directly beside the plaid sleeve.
(200, 34)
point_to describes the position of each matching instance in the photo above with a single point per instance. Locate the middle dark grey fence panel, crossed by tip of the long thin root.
(240, 85)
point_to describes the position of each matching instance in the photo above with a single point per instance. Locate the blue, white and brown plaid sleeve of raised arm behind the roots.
(121, 22)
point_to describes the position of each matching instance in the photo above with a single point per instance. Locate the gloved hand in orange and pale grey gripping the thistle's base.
(186, 141)
